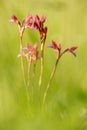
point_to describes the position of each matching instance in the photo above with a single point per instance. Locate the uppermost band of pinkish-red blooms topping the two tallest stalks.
(35, 23)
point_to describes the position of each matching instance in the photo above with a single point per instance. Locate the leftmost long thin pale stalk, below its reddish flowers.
(22, 68)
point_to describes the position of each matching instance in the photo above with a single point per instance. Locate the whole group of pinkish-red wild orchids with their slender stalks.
(31, 52)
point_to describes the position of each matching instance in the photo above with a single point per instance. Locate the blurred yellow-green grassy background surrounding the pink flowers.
(66, 104)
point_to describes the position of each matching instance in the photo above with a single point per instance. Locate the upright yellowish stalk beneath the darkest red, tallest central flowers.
(42, 65)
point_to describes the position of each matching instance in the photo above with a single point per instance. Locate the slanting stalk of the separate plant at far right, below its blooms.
(50, 79)
